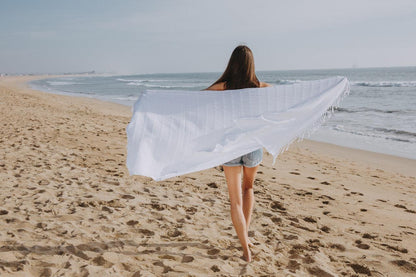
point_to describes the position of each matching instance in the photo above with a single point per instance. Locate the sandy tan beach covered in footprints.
(68, 206)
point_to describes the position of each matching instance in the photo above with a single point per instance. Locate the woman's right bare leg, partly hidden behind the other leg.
(249, 173)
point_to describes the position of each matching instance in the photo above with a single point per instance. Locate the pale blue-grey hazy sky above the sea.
(162, 36)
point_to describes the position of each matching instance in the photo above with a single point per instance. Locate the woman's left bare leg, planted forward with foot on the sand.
(233, 178)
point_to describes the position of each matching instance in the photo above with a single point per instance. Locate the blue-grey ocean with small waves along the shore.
(379, 115)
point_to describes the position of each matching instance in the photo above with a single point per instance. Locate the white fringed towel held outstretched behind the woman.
(177, 132)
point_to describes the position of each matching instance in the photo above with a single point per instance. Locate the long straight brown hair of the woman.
(240, 70)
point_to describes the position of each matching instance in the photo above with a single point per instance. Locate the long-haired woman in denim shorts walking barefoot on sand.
(240, 74)
